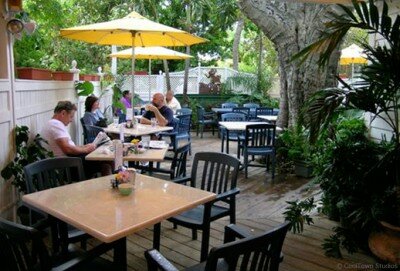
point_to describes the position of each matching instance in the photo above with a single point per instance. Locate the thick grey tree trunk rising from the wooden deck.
(291, 27)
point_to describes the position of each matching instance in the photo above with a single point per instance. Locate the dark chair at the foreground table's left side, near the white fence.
(50, 173)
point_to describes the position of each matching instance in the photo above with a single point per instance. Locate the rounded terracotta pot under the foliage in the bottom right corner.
(385, 244)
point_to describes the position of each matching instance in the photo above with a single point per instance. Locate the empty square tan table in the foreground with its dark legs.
(101, 211)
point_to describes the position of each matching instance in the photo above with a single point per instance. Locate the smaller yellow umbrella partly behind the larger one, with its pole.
(150, 53)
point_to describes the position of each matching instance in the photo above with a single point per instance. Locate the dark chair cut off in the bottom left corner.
(22, 248)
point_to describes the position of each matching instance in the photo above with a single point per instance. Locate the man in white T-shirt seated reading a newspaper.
(60, 143)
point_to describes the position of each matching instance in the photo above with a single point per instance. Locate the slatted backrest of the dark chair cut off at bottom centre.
(261, 252)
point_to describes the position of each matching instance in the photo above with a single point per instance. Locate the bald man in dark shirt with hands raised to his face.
(157, 109)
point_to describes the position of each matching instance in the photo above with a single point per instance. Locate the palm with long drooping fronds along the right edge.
(380, 96)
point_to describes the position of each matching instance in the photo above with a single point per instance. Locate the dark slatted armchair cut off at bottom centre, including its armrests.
(259, 252)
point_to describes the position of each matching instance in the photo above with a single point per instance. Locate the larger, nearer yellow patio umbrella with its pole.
(133, 30)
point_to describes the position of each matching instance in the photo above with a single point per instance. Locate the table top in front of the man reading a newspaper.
(105, 153)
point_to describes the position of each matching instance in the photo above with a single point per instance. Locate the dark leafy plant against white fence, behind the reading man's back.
(26, 152)
